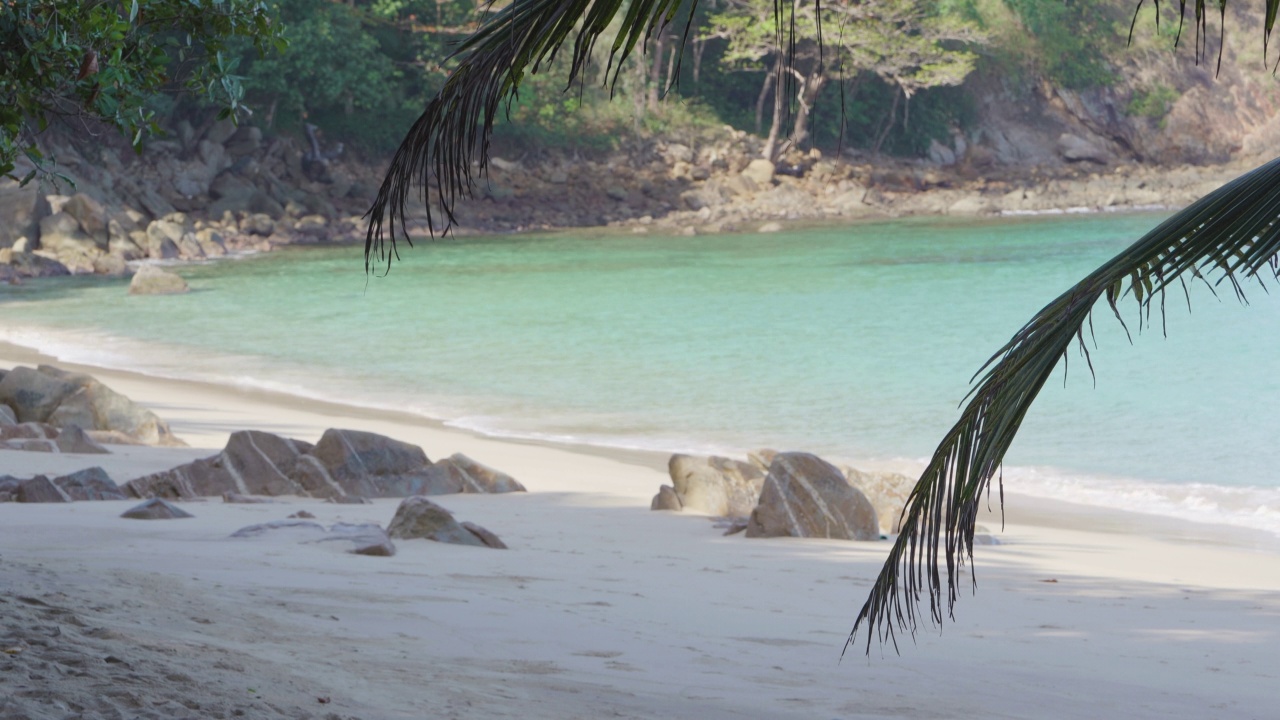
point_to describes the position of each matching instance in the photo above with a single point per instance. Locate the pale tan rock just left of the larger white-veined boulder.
(716, 486)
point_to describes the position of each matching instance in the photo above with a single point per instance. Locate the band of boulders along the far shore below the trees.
(222, 190)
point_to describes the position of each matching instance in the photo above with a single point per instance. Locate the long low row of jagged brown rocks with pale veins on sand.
(342, 467)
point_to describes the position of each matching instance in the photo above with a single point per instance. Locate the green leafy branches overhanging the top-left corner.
(103, 62)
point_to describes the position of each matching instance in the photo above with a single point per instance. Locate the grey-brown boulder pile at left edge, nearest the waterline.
(62, 399)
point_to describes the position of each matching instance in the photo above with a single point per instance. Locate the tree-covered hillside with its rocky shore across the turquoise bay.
(898, 107)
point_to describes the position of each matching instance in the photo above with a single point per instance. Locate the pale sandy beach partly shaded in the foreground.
(601, 608)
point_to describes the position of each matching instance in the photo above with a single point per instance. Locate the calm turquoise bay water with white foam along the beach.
(854, 343)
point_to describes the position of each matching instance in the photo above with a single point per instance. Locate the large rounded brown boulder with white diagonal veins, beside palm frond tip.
(808, 498)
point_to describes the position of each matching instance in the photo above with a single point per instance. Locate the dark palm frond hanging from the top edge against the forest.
(451, 140)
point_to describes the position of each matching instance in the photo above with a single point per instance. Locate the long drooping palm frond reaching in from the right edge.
(1231, 236)
